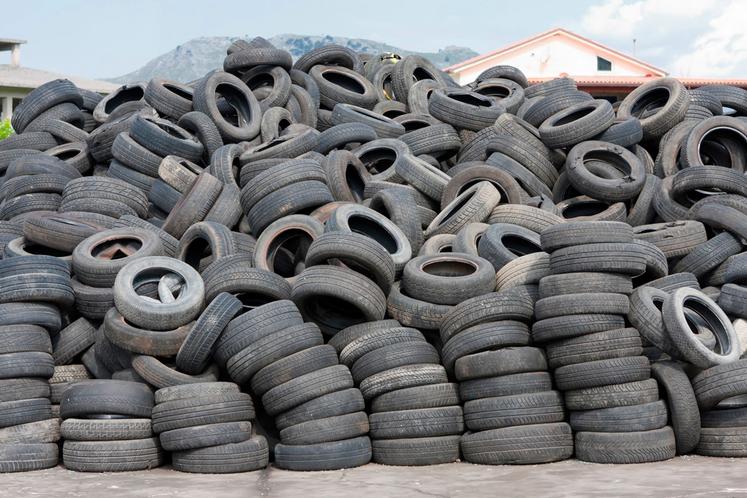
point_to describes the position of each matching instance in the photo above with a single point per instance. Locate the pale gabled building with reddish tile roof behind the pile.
(597, 69)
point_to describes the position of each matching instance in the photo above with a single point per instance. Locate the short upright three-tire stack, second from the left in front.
(107, 427)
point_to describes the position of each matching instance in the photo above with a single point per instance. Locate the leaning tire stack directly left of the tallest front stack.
(510, 409)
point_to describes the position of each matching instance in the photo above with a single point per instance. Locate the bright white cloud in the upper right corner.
(696, 38)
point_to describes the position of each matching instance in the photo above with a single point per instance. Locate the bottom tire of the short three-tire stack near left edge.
(112, 456)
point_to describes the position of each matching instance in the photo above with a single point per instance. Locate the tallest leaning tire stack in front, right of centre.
(614, 404)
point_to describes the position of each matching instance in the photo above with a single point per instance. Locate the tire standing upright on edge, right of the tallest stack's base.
(682, 404)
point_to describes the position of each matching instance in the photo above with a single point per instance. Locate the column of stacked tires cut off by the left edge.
(33, 290)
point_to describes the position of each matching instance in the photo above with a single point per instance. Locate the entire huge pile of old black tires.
(376, 260)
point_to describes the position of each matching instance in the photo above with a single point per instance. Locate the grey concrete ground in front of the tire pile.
(689, 476)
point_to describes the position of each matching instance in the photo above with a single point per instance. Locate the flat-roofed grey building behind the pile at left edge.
(17, 81)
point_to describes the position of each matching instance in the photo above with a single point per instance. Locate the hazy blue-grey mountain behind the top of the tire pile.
(191, 60)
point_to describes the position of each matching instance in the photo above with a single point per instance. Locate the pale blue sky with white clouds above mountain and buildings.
(108, 38)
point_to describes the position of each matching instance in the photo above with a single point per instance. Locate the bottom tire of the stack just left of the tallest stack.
(528, 444)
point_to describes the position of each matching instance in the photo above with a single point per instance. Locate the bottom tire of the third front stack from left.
(245, 456)
